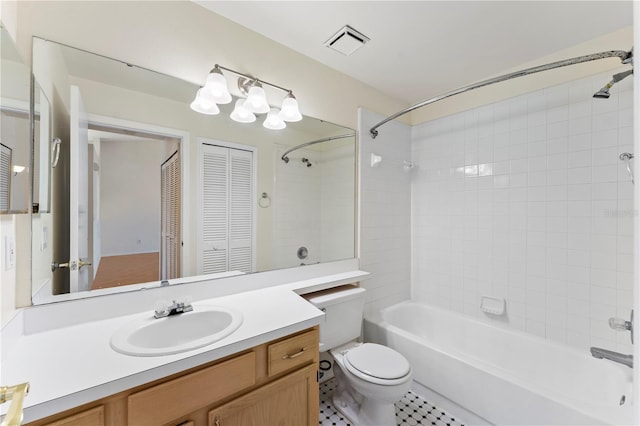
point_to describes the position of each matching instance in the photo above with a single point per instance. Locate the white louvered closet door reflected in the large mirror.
(227, 210)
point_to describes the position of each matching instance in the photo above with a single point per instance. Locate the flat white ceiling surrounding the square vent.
(420, 49)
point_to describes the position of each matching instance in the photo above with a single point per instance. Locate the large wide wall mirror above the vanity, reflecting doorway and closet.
(141, 189)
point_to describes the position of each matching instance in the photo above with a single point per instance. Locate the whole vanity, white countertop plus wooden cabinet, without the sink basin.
(266, 368)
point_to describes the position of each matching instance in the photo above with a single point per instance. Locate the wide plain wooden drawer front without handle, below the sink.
(160, 404)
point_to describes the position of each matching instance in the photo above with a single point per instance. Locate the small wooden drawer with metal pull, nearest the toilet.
(293, 352)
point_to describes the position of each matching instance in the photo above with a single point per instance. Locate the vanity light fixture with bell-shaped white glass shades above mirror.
(215, 91)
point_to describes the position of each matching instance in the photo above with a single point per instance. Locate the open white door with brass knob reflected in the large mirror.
(79, 195)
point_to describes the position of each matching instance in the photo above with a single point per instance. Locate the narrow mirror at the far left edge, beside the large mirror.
(14, 132)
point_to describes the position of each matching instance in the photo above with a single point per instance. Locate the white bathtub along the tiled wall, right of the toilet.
(504, 376)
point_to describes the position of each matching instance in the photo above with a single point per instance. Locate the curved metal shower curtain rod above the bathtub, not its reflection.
(625, 57)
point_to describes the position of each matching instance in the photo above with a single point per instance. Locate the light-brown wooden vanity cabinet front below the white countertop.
(271, 384)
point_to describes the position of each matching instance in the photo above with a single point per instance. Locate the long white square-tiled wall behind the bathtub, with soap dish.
(527, 200)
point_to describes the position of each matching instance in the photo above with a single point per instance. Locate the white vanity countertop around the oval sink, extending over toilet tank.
(72, 365)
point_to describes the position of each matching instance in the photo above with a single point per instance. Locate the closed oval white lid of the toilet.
(378, 361)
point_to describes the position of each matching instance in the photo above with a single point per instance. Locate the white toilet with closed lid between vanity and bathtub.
(370, 378)
